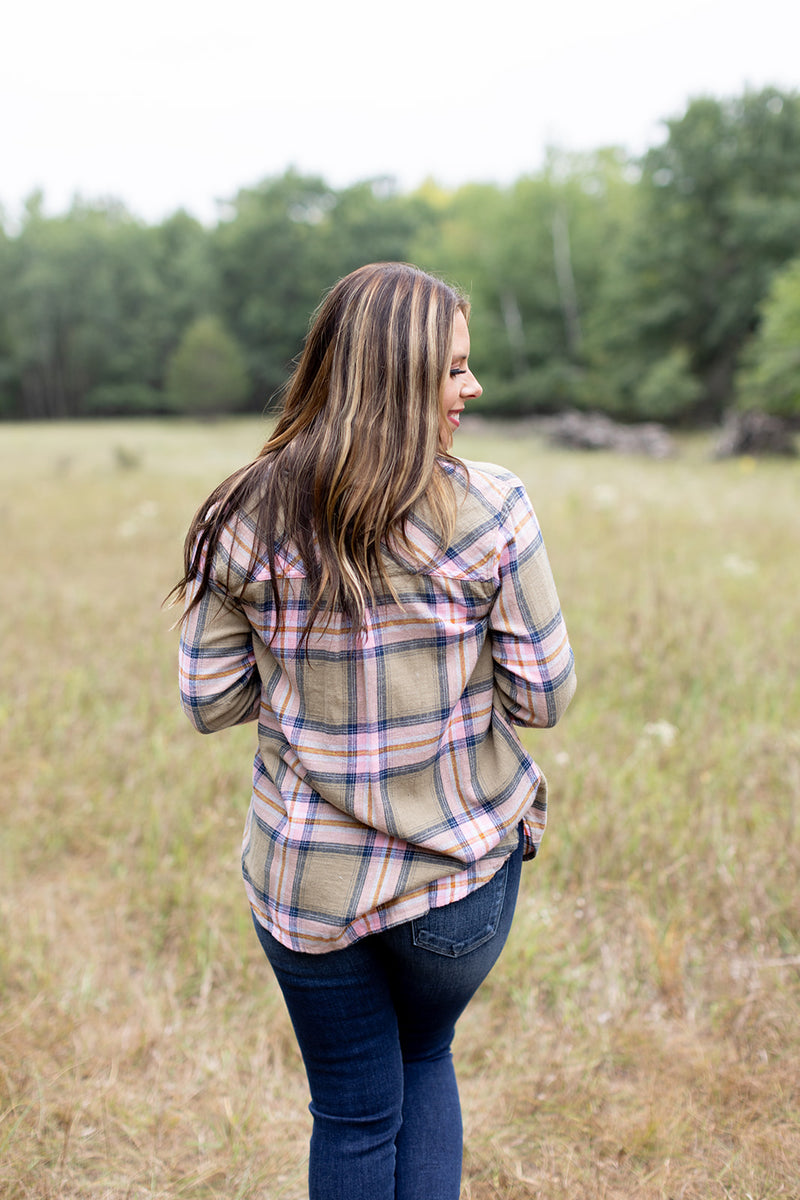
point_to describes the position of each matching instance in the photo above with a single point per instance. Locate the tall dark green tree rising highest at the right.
(719, 214)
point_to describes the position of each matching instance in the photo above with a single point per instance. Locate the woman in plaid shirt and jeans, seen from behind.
(388, 615)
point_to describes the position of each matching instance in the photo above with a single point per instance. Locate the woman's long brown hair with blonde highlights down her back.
(356, 446)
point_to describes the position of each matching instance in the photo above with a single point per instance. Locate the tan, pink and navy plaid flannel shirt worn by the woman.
(389, 778)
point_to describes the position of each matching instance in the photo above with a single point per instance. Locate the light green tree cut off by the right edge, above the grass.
(771, 376)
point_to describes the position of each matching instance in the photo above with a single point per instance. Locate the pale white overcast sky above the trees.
(179, 104)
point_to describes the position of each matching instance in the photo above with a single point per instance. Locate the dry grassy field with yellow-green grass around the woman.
(641, 1037)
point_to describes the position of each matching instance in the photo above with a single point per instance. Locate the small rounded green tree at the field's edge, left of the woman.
(207, 375)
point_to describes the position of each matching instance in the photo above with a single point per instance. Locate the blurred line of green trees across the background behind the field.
(666, 287)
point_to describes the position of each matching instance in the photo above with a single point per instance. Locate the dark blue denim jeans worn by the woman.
(375, 1023)
